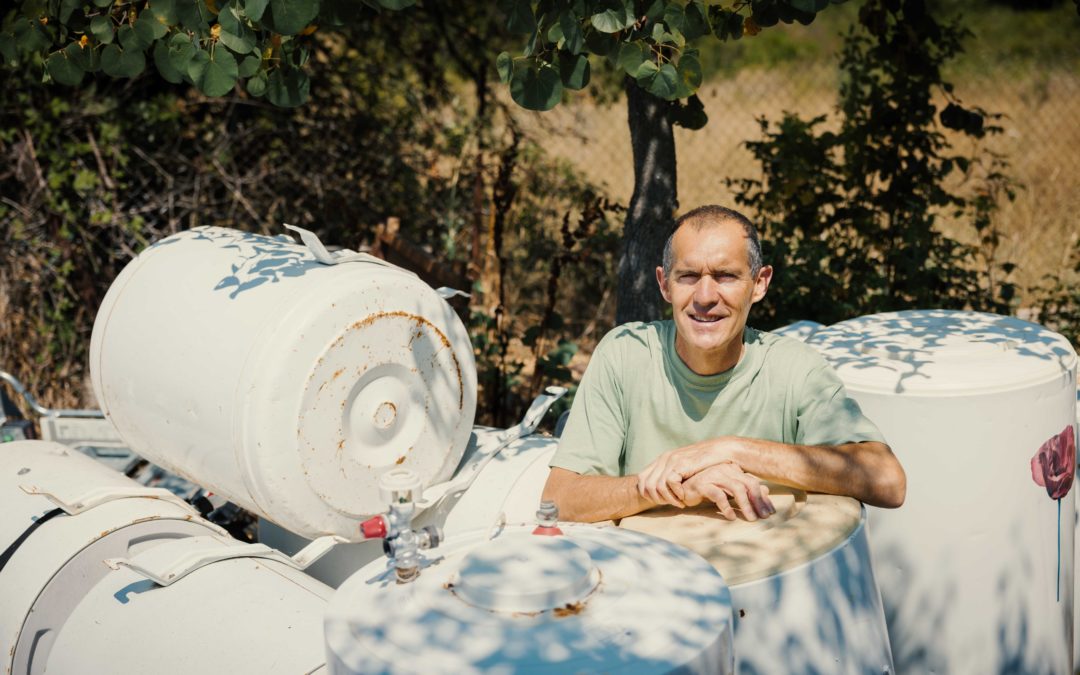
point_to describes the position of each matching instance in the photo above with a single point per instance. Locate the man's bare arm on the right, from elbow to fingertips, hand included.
(868, 471)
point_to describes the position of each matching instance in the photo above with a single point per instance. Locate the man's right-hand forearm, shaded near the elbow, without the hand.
(867, 471)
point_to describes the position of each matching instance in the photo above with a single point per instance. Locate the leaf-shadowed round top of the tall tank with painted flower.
(943, 353)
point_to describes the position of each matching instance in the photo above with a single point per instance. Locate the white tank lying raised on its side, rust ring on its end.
(286, 384)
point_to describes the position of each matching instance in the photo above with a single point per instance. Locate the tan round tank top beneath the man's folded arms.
(804, 529)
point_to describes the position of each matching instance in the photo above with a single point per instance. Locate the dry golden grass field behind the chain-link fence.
(1042, 142)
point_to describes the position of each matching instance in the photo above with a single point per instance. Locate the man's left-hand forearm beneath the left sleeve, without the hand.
(590, 499)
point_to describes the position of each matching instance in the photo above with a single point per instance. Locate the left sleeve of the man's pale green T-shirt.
(592, 441)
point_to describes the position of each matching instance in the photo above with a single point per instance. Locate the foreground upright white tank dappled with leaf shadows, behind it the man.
(536, 604)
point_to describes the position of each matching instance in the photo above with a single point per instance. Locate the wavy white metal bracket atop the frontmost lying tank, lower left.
(175, 570)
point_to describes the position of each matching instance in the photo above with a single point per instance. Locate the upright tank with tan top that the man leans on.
(803, 587)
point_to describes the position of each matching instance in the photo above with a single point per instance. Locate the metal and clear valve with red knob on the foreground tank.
(401, 490)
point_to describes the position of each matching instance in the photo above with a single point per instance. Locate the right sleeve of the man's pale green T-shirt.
(827, 415)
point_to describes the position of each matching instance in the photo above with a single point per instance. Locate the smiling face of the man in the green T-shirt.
(711, 291)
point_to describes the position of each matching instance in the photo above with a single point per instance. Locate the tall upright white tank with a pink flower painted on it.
(976, 569)
